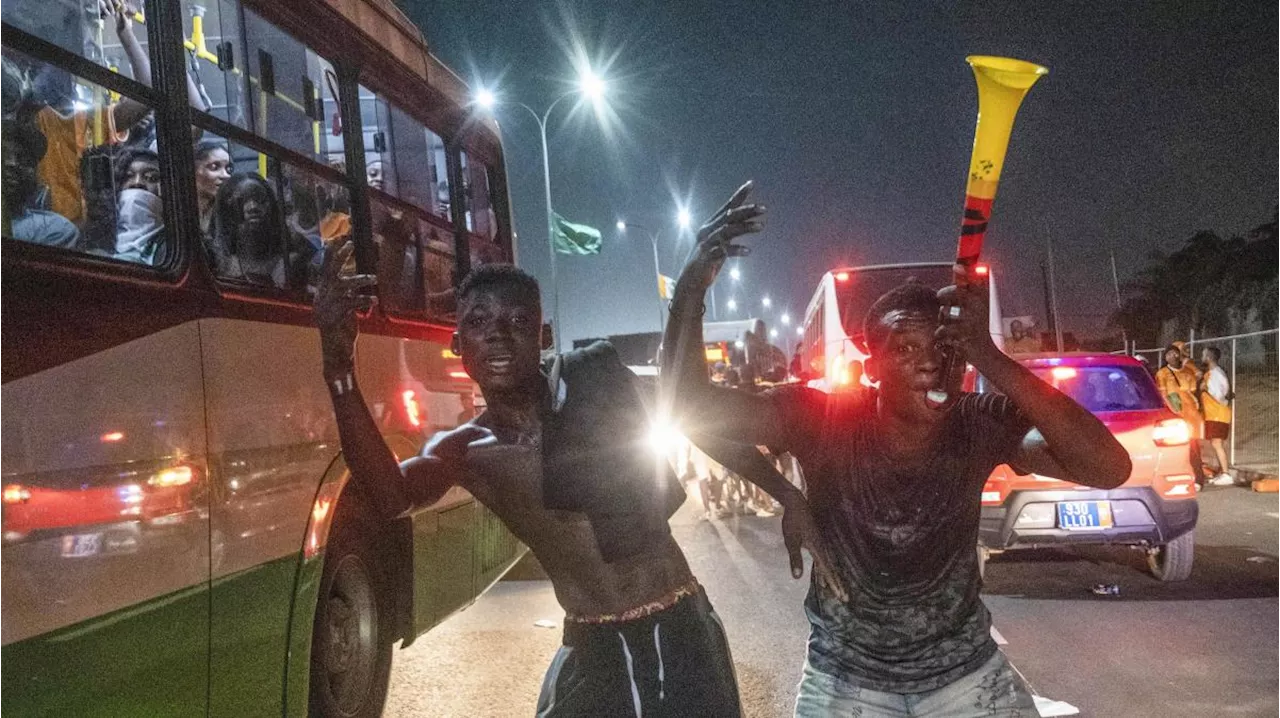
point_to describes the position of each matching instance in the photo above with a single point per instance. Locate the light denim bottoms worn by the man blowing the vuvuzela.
(994, 689)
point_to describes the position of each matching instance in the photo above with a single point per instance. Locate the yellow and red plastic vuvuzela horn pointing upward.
(1003, 83)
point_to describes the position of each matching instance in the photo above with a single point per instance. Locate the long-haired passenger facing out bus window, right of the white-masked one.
(249, 235)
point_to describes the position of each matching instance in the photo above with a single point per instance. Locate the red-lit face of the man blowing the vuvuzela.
(909, 359)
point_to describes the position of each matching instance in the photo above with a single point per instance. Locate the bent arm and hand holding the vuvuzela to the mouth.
(1067, 442)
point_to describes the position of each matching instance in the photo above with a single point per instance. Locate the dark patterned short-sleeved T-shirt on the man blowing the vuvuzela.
(903, 541)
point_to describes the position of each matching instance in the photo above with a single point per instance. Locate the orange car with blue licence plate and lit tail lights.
(1155, 509)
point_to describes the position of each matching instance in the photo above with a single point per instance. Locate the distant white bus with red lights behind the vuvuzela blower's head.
(833, 350)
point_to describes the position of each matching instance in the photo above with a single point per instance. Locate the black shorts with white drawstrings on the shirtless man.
(674, 664)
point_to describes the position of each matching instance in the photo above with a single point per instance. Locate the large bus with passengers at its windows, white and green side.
(179, 531)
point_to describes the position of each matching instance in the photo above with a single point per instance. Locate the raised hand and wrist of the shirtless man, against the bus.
(339, 299)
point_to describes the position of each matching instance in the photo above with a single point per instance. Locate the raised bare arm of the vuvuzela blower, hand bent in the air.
(688, 392)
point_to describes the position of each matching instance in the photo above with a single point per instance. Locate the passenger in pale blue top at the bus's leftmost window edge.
(22, 147)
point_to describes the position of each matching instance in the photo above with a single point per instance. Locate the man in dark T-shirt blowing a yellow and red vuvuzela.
(895, 486)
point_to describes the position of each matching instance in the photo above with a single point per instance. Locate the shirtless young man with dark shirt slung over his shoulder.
(575, 483)
